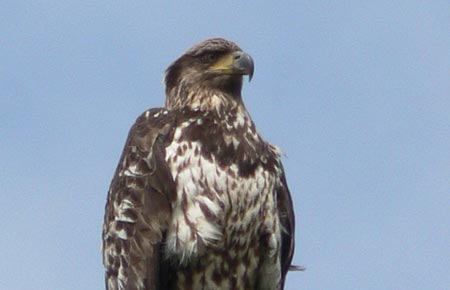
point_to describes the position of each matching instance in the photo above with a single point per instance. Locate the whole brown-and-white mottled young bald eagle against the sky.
(199, 199)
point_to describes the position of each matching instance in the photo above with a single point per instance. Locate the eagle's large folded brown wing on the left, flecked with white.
(138, 206)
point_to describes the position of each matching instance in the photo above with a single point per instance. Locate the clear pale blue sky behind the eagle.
(356, 93)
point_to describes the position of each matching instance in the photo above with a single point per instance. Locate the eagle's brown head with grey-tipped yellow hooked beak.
(214, 65)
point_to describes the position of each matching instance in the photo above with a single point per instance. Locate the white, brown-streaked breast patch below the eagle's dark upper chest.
(213, 202)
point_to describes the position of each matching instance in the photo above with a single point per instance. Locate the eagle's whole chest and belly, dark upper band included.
(225, 209)
